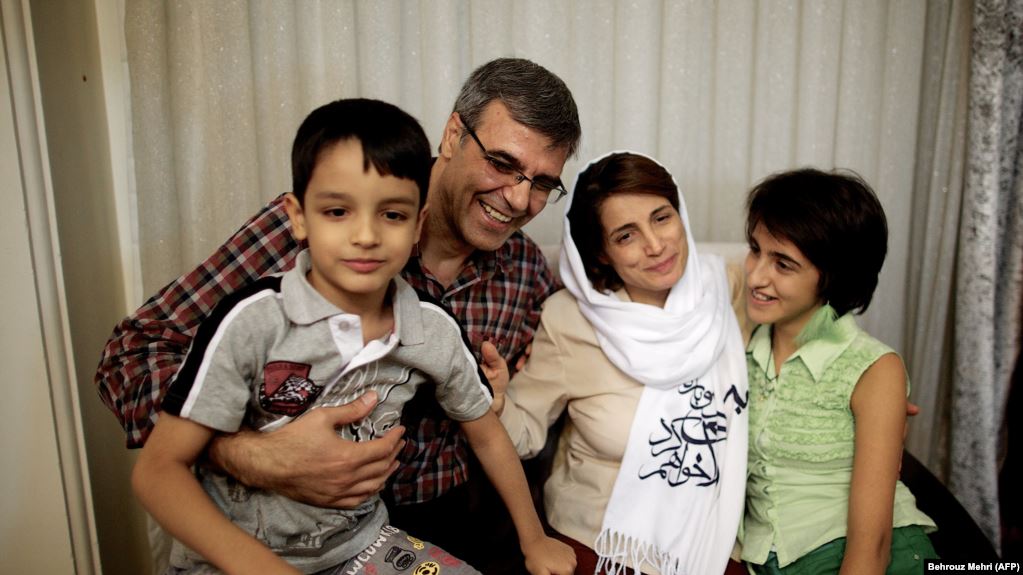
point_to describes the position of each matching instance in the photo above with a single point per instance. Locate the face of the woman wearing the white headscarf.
(645, 242)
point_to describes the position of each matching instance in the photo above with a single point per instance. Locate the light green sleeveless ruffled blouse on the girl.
(803, 439)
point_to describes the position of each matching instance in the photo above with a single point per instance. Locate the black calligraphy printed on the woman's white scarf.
(686, 449)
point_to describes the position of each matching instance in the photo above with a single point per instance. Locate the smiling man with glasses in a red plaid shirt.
(501, 158)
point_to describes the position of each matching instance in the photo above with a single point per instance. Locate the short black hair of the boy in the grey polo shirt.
(392, 142)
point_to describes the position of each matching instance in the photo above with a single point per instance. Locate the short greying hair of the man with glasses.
(535, 97)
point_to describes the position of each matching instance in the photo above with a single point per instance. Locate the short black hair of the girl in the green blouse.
(836, 220)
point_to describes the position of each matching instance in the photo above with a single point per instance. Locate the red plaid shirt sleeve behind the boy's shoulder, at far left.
(143, 356)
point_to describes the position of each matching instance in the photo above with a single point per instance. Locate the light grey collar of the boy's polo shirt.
(304, 305)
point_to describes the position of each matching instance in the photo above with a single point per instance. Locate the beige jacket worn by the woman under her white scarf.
(568, 370)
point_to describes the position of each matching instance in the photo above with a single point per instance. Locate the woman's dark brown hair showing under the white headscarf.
(617, 173)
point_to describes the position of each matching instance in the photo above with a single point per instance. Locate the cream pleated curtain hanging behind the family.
(724, 94)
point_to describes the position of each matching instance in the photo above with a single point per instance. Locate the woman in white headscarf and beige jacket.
(644, 351)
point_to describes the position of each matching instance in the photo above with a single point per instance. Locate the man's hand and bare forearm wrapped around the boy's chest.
(306, 460)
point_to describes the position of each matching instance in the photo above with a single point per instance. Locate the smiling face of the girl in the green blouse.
(782, 284)
